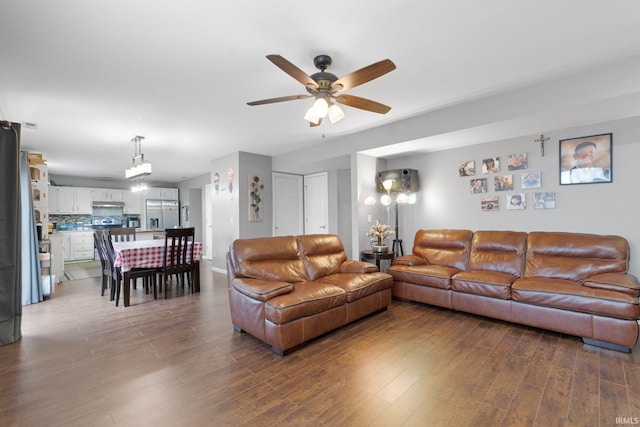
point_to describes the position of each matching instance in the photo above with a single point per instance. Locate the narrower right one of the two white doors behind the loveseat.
(316, 203)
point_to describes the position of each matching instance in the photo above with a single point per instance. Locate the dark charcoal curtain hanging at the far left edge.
(10, 232)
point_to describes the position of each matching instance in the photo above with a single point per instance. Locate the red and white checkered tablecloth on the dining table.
(144, 254)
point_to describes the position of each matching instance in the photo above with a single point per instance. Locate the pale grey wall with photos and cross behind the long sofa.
(609, 208)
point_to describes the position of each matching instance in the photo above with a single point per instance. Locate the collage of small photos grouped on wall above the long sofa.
(496, 184)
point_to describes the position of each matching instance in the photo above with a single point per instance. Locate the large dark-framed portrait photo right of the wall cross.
(586, 160)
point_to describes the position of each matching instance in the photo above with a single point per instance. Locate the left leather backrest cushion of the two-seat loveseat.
(268, 258)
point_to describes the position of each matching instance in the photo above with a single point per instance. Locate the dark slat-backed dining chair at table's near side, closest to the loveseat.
(178, 257)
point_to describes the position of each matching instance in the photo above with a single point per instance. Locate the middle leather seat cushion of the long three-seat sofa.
(493, 284)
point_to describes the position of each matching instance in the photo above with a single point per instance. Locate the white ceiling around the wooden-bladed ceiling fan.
(93, 74)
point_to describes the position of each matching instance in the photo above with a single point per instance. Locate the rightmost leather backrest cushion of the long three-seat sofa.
(575, 256)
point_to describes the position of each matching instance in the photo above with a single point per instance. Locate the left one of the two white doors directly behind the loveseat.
(288, 218)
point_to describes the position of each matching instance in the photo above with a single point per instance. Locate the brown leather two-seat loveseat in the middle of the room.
(288, 290)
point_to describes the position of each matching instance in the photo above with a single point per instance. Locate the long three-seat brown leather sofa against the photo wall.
(573, 283)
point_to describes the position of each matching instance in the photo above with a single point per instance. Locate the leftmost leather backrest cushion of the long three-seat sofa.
(449, 248)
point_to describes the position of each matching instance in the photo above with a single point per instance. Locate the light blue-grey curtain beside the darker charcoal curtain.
(31, 273)
